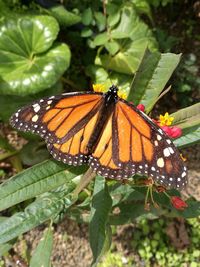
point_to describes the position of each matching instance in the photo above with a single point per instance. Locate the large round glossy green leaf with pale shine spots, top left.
(29, 61)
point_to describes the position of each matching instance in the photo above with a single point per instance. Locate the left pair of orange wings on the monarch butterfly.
(66, 123)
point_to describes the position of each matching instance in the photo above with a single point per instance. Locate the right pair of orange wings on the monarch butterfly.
(131, 143)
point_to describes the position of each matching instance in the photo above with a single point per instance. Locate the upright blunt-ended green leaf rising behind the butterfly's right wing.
(151, 77)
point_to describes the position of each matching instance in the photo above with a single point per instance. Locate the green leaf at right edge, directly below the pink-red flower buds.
(189, 137)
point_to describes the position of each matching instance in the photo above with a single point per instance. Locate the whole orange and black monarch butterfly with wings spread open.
(107, 132)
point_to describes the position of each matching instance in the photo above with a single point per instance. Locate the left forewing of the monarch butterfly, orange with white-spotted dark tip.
(55, 118)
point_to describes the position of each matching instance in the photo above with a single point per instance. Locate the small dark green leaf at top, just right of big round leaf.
(63, 16)
